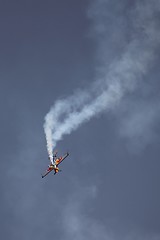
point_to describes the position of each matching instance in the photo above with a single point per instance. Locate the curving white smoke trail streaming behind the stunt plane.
(119, 78)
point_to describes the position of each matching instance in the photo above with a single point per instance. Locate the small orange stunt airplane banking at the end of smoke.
(54, 162)
